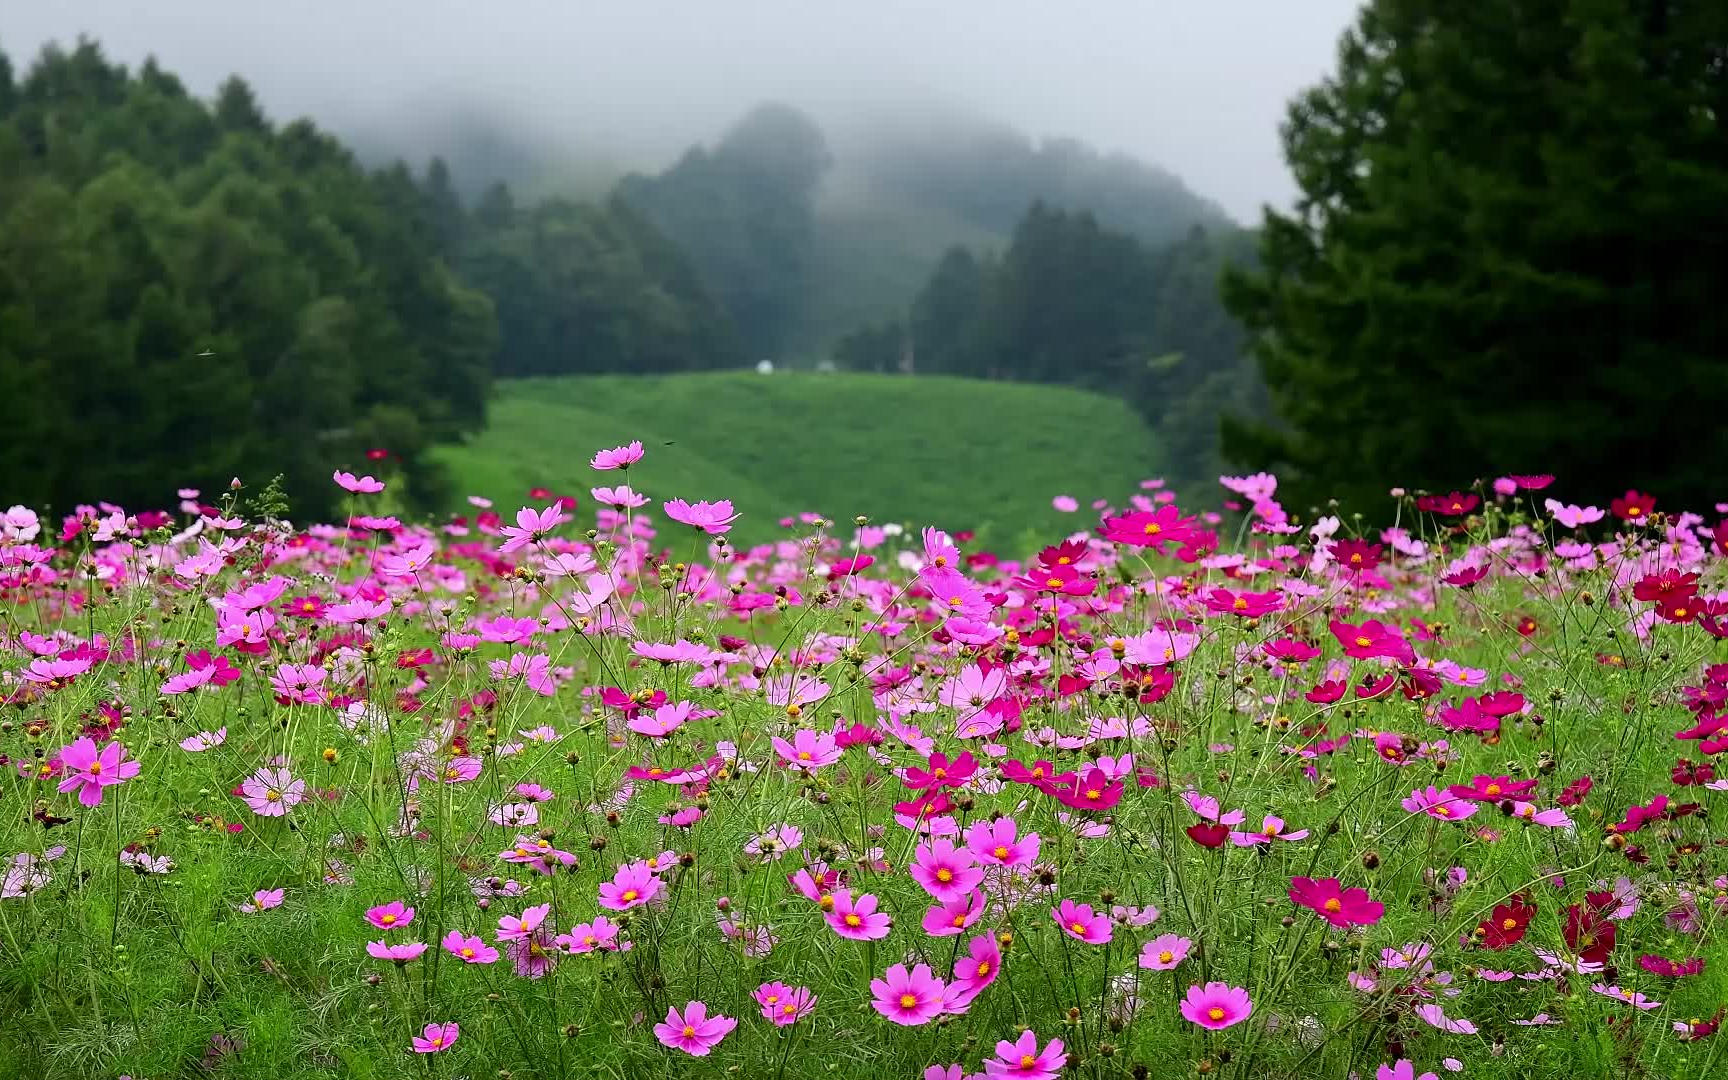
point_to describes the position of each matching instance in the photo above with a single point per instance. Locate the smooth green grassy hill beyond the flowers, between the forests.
(944, 452)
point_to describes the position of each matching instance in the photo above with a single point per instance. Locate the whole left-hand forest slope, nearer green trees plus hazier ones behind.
(191, 293)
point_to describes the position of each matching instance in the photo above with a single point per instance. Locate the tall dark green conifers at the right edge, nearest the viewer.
(1506, 255)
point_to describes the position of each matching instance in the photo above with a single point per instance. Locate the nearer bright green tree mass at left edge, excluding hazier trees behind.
(189, 293)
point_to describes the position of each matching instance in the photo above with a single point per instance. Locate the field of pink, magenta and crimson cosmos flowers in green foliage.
(583, 791)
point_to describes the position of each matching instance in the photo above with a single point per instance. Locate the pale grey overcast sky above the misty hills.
(1193, 86)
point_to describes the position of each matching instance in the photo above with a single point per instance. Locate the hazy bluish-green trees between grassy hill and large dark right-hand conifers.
(1077, 303)
